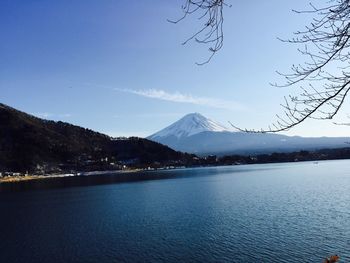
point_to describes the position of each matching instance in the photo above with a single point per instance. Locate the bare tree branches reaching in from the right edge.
(324, 77)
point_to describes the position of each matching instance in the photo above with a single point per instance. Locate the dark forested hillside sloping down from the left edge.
(27, 141)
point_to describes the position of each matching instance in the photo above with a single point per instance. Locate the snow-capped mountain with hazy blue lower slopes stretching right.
(197, 134)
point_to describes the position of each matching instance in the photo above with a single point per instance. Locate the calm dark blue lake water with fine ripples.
(296, 212)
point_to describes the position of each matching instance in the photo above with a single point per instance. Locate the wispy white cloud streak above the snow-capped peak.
(185, 98)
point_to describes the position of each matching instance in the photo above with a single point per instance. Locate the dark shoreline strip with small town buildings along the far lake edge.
(88, 165)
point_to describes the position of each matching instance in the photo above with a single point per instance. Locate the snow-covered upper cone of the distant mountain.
(189, 125)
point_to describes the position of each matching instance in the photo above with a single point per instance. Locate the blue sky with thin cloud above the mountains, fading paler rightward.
(118, 66)
